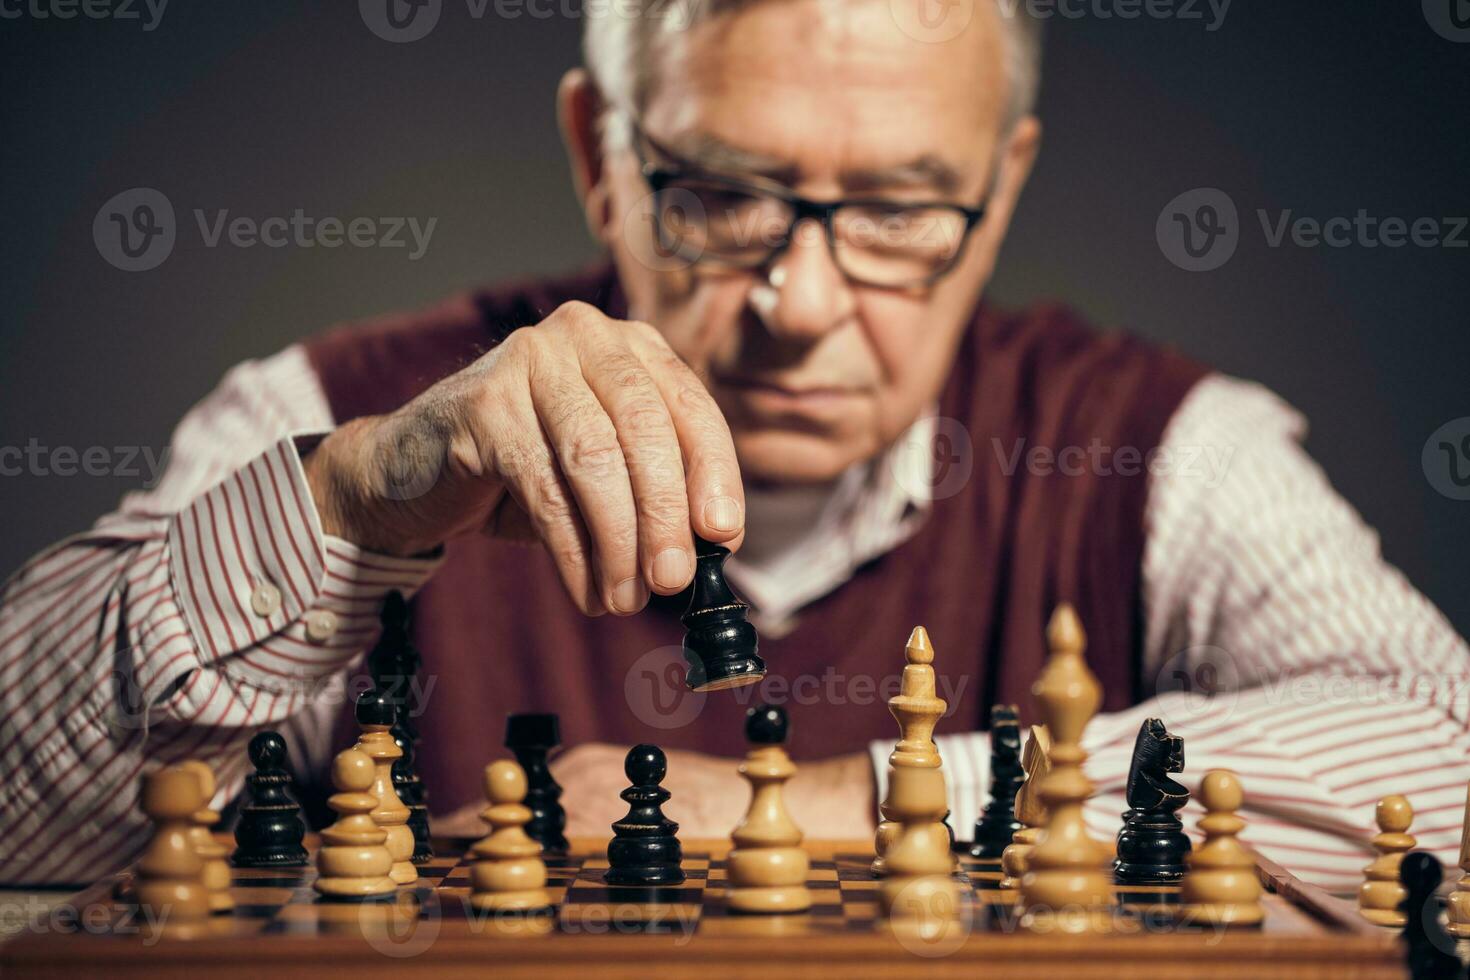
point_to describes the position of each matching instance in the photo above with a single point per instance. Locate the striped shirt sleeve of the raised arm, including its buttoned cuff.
(198, 613)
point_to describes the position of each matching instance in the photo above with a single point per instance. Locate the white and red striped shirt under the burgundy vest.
(212, 606)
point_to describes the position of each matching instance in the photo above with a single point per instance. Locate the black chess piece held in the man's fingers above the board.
(721, 643)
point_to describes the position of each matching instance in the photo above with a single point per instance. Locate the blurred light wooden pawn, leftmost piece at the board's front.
(171, 875)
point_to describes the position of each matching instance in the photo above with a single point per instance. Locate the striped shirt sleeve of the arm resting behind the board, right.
(1281, 646)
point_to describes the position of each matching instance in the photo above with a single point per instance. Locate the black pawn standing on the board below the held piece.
(645, 850)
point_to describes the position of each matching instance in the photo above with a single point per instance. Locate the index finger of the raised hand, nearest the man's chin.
(712, 472)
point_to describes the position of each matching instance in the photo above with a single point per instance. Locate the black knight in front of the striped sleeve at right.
(1152, 847)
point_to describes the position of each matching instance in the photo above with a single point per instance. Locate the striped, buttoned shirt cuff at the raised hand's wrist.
(254, 571)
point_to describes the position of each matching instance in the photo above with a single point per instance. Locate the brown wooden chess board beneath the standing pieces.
(282, 929)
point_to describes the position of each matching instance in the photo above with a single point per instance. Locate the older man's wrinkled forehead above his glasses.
(825, 89)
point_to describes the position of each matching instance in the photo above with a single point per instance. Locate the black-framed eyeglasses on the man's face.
(746, 224)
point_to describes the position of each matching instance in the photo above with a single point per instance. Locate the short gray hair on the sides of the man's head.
(621, 40)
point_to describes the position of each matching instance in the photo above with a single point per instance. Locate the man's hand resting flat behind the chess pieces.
(830, 800)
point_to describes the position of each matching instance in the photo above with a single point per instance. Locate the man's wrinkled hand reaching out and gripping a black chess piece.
(583, 431)
